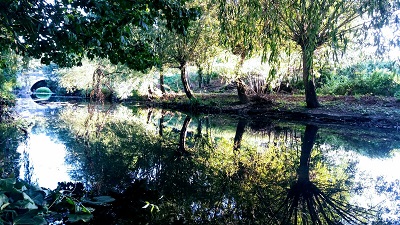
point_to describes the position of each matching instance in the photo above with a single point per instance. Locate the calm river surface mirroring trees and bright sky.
(166, 167)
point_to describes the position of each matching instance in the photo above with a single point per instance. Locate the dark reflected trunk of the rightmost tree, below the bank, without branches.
(310, 135)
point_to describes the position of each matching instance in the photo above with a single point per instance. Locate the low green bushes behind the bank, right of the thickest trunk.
(376, 78)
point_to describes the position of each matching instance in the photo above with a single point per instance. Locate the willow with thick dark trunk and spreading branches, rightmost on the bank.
(317, 23)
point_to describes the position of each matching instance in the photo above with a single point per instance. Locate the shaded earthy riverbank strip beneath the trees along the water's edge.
(365, 111)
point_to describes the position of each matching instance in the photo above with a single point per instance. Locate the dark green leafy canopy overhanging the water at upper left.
(66, 31)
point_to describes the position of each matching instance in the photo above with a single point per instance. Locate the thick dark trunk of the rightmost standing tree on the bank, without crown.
(308, 78)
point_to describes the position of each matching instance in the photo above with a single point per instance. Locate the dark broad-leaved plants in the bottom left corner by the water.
(22, 203)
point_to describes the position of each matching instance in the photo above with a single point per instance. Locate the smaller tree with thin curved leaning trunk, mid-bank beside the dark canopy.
(194, 45)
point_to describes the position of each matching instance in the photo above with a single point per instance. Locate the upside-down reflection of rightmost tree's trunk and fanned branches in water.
(305, 203)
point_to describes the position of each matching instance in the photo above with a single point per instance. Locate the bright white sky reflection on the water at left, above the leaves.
(43, 161)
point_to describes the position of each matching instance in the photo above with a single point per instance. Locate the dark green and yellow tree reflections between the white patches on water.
(215, 177)
